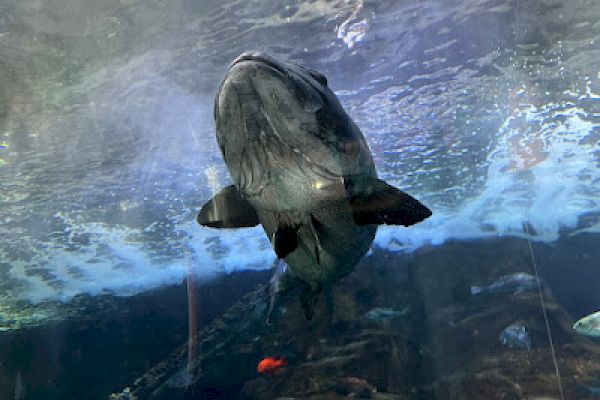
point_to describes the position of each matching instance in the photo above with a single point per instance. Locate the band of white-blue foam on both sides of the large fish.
(544, 170)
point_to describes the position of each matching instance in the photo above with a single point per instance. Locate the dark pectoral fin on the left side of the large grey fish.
(228, 209)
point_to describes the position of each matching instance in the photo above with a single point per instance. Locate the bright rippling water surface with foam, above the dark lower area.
(487, 111)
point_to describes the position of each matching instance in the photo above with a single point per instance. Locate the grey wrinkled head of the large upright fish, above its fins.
(274, 115)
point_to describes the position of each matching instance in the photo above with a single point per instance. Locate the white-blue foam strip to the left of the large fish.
(117, 261)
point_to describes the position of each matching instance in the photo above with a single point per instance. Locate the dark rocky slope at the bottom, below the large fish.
(398, 327)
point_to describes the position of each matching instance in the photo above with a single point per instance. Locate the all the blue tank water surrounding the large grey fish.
(488, 112)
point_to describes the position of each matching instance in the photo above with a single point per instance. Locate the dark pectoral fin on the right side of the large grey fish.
(379, 203)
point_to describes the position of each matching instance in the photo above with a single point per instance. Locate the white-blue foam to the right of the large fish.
(544, 170)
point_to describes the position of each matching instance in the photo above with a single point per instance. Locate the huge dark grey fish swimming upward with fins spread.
(302, 169)
